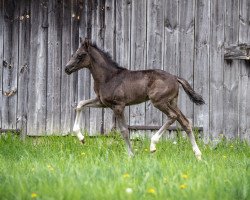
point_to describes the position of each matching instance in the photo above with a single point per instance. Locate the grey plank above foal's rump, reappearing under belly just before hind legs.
(155, 26)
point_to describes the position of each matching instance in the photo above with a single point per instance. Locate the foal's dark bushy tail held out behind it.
(196, 98)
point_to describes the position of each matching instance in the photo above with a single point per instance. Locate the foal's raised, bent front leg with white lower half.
(85, 103)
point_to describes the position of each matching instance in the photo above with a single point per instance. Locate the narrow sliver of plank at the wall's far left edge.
(1, 55)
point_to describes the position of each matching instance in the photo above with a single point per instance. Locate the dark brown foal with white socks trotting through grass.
(117, 87)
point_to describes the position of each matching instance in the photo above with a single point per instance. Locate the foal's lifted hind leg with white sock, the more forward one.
(172, 117)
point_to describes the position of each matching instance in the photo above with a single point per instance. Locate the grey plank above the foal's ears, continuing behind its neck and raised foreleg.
(96, 114)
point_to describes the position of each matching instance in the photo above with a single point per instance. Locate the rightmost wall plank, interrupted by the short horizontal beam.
(244, 82)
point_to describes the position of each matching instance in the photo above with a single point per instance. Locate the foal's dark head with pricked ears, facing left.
(80, 58)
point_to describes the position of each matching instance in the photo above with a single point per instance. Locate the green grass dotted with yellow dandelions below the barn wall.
(62, 168)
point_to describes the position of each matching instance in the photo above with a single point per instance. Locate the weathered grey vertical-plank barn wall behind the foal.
(185, 38)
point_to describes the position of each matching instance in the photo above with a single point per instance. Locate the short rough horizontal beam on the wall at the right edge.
(240, 52)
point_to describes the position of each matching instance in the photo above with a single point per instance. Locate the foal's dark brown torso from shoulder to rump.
(133, 87)
